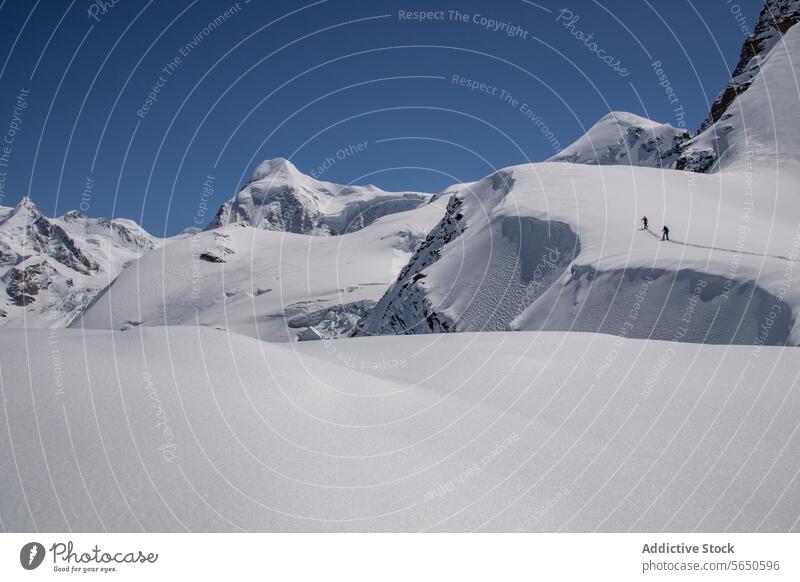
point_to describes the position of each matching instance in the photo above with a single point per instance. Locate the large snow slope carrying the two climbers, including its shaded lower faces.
(557, 247)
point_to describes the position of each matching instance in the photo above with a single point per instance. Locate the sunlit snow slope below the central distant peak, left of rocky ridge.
(270, 285)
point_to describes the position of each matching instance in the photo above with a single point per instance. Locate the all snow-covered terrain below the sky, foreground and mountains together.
(294, 366)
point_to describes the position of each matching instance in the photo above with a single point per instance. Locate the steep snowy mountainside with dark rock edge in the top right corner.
(755, 117)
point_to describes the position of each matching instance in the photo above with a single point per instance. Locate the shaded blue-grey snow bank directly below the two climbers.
(677, 306)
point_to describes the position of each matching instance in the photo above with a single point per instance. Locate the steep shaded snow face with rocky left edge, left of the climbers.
(521, 263)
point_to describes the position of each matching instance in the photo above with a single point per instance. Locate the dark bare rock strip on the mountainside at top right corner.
(776, 17)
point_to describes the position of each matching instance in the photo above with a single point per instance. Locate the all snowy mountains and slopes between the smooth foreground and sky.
(551, 245)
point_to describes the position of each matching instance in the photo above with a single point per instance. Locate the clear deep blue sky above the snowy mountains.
(304, 80)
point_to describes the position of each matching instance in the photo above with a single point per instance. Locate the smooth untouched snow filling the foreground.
(178, 428)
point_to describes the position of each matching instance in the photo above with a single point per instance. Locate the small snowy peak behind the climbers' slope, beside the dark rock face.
(621, 138)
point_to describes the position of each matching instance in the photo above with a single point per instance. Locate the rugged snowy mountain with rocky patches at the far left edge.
(51, 268)
